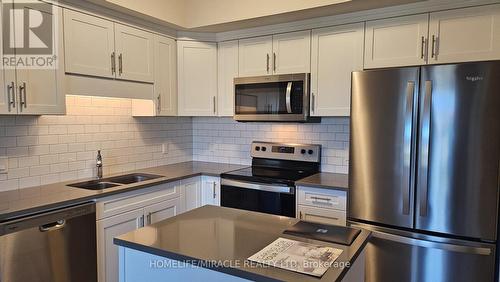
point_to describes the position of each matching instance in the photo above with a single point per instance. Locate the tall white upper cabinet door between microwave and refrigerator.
(336, 52)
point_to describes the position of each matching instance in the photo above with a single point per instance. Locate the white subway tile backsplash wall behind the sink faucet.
(49, 149)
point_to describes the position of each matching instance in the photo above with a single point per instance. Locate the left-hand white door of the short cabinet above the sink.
(89, 45)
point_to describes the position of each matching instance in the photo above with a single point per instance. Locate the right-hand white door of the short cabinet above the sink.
(134, 51)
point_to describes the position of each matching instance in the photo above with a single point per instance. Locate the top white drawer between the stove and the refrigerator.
(324, 198)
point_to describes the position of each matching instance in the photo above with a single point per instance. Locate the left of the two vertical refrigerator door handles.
(410, 89)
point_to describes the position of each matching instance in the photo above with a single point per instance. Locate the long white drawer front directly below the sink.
(137, 199)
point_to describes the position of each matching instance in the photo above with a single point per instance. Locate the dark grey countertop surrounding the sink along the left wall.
(22, 202)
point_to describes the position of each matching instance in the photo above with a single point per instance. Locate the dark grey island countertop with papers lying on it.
(213, 233)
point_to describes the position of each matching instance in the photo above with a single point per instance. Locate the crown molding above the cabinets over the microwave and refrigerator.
(388, 12)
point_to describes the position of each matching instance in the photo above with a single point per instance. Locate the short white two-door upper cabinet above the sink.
(102, 48)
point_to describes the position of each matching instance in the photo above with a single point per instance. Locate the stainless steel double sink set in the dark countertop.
(114, 181)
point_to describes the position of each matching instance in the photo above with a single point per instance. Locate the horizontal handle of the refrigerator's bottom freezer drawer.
(430, 244)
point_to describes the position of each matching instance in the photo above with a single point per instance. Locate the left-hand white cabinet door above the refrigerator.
(396, 42)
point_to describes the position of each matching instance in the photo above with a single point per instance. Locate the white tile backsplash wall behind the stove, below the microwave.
(227, 141)
